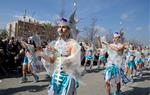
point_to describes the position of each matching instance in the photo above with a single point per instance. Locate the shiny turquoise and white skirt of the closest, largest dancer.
(62, 84)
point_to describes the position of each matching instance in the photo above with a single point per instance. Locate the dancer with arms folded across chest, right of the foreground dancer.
(113, 68)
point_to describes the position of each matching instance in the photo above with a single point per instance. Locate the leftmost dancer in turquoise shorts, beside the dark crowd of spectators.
(30, 60)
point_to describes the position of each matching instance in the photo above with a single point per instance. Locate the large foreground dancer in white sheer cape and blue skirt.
(66, 58)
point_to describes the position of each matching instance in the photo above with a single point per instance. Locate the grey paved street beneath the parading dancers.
(92, 84)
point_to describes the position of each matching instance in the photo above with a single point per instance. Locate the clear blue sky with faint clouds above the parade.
(110, 15)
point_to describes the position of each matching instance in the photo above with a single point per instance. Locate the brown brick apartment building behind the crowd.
(26, 29)
